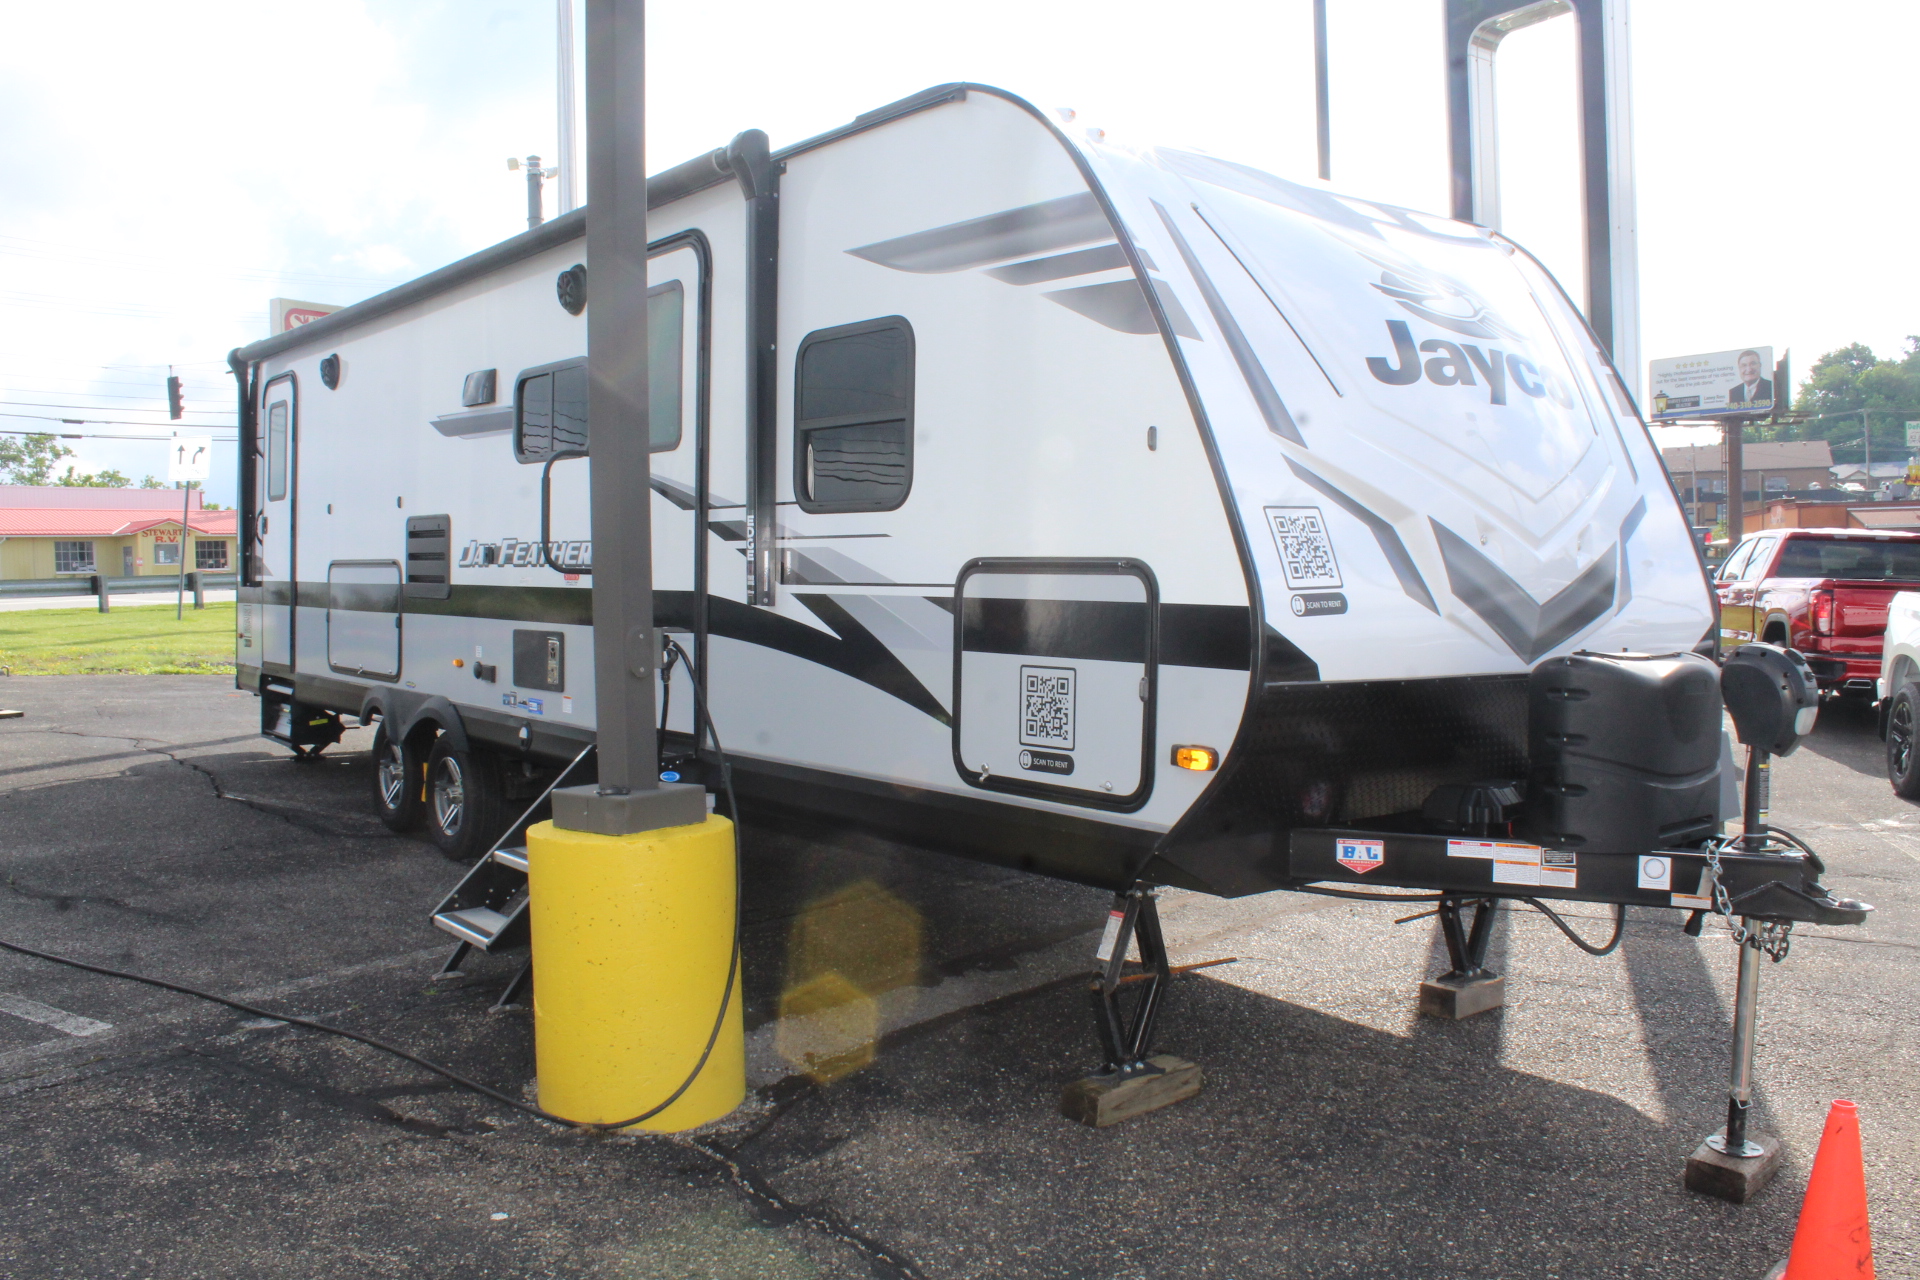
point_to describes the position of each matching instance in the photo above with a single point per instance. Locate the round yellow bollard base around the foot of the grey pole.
(633, 939)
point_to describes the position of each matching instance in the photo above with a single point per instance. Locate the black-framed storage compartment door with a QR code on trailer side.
(1055, 680)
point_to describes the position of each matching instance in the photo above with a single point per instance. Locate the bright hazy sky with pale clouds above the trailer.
(172, 168)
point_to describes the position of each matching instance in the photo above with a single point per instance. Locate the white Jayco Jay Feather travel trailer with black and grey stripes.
(1130, 517)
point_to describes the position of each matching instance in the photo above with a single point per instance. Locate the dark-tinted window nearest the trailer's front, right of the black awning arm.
(853, 396)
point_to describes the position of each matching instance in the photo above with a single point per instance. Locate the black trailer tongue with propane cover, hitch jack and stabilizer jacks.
(1621, 807)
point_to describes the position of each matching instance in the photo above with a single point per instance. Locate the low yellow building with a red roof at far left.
(51, 533)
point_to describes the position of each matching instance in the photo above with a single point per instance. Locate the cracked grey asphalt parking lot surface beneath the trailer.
(1339, 1133)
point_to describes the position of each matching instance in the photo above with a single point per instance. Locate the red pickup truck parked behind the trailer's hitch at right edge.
(1821, 592)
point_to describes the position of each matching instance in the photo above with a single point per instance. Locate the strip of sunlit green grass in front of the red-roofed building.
(139, 640)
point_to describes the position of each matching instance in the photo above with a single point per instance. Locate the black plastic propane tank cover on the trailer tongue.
(1625, 753)
